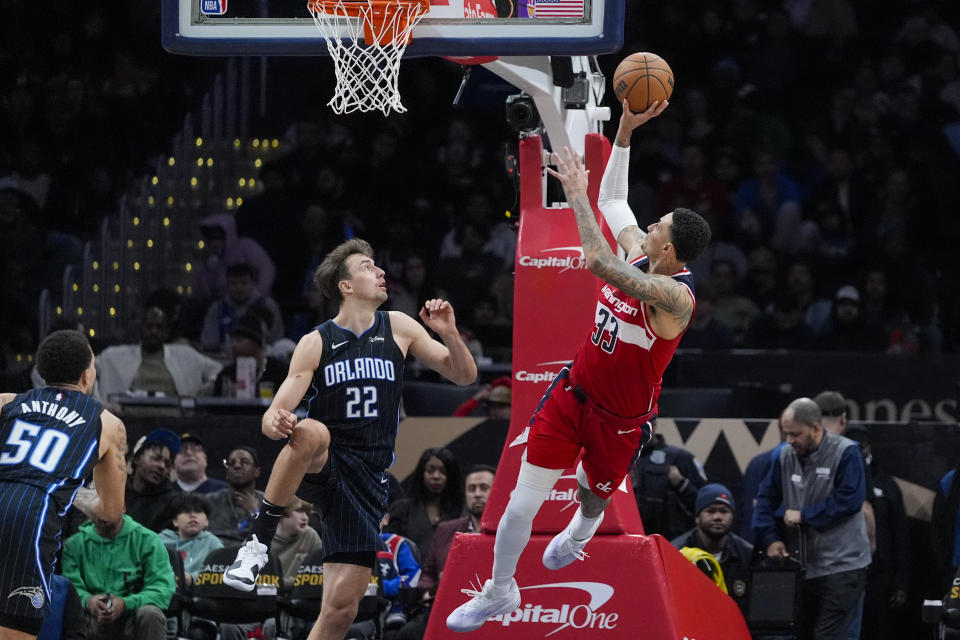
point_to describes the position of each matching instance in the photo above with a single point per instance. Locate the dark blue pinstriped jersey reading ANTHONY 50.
(50, 438)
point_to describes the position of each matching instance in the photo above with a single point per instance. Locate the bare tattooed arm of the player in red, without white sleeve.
(669, 302)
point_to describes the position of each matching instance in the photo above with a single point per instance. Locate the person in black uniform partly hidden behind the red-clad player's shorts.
(665, 482)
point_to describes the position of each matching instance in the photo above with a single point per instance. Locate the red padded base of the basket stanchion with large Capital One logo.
(630, 588)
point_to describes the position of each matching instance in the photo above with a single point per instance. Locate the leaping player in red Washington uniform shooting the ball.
(606, 400)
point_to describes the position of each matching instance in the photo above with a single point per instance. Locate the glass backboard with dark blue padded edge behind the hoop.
(451, 28)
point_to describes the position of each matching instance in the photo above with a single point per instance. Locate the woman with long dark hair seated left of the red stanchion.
(435, 494)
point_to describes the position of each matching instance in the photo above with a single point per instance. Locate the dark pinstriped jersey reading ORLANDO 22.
(357, 387)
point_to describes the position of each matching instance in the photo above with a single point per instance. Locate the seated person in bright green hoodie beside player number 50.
(123, 575)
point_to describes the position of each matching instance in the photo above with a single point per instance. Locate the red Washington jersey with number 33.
(620, 366)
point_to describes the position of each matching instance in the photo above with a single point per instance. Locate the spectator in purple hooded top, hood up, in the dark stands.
(222, 248)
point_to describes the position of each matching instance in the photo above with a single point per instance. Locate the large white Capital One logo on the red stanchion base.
(579, 616)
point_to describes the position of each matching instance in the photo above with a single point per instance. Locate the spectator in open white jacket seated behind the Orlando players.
(152, 366)
